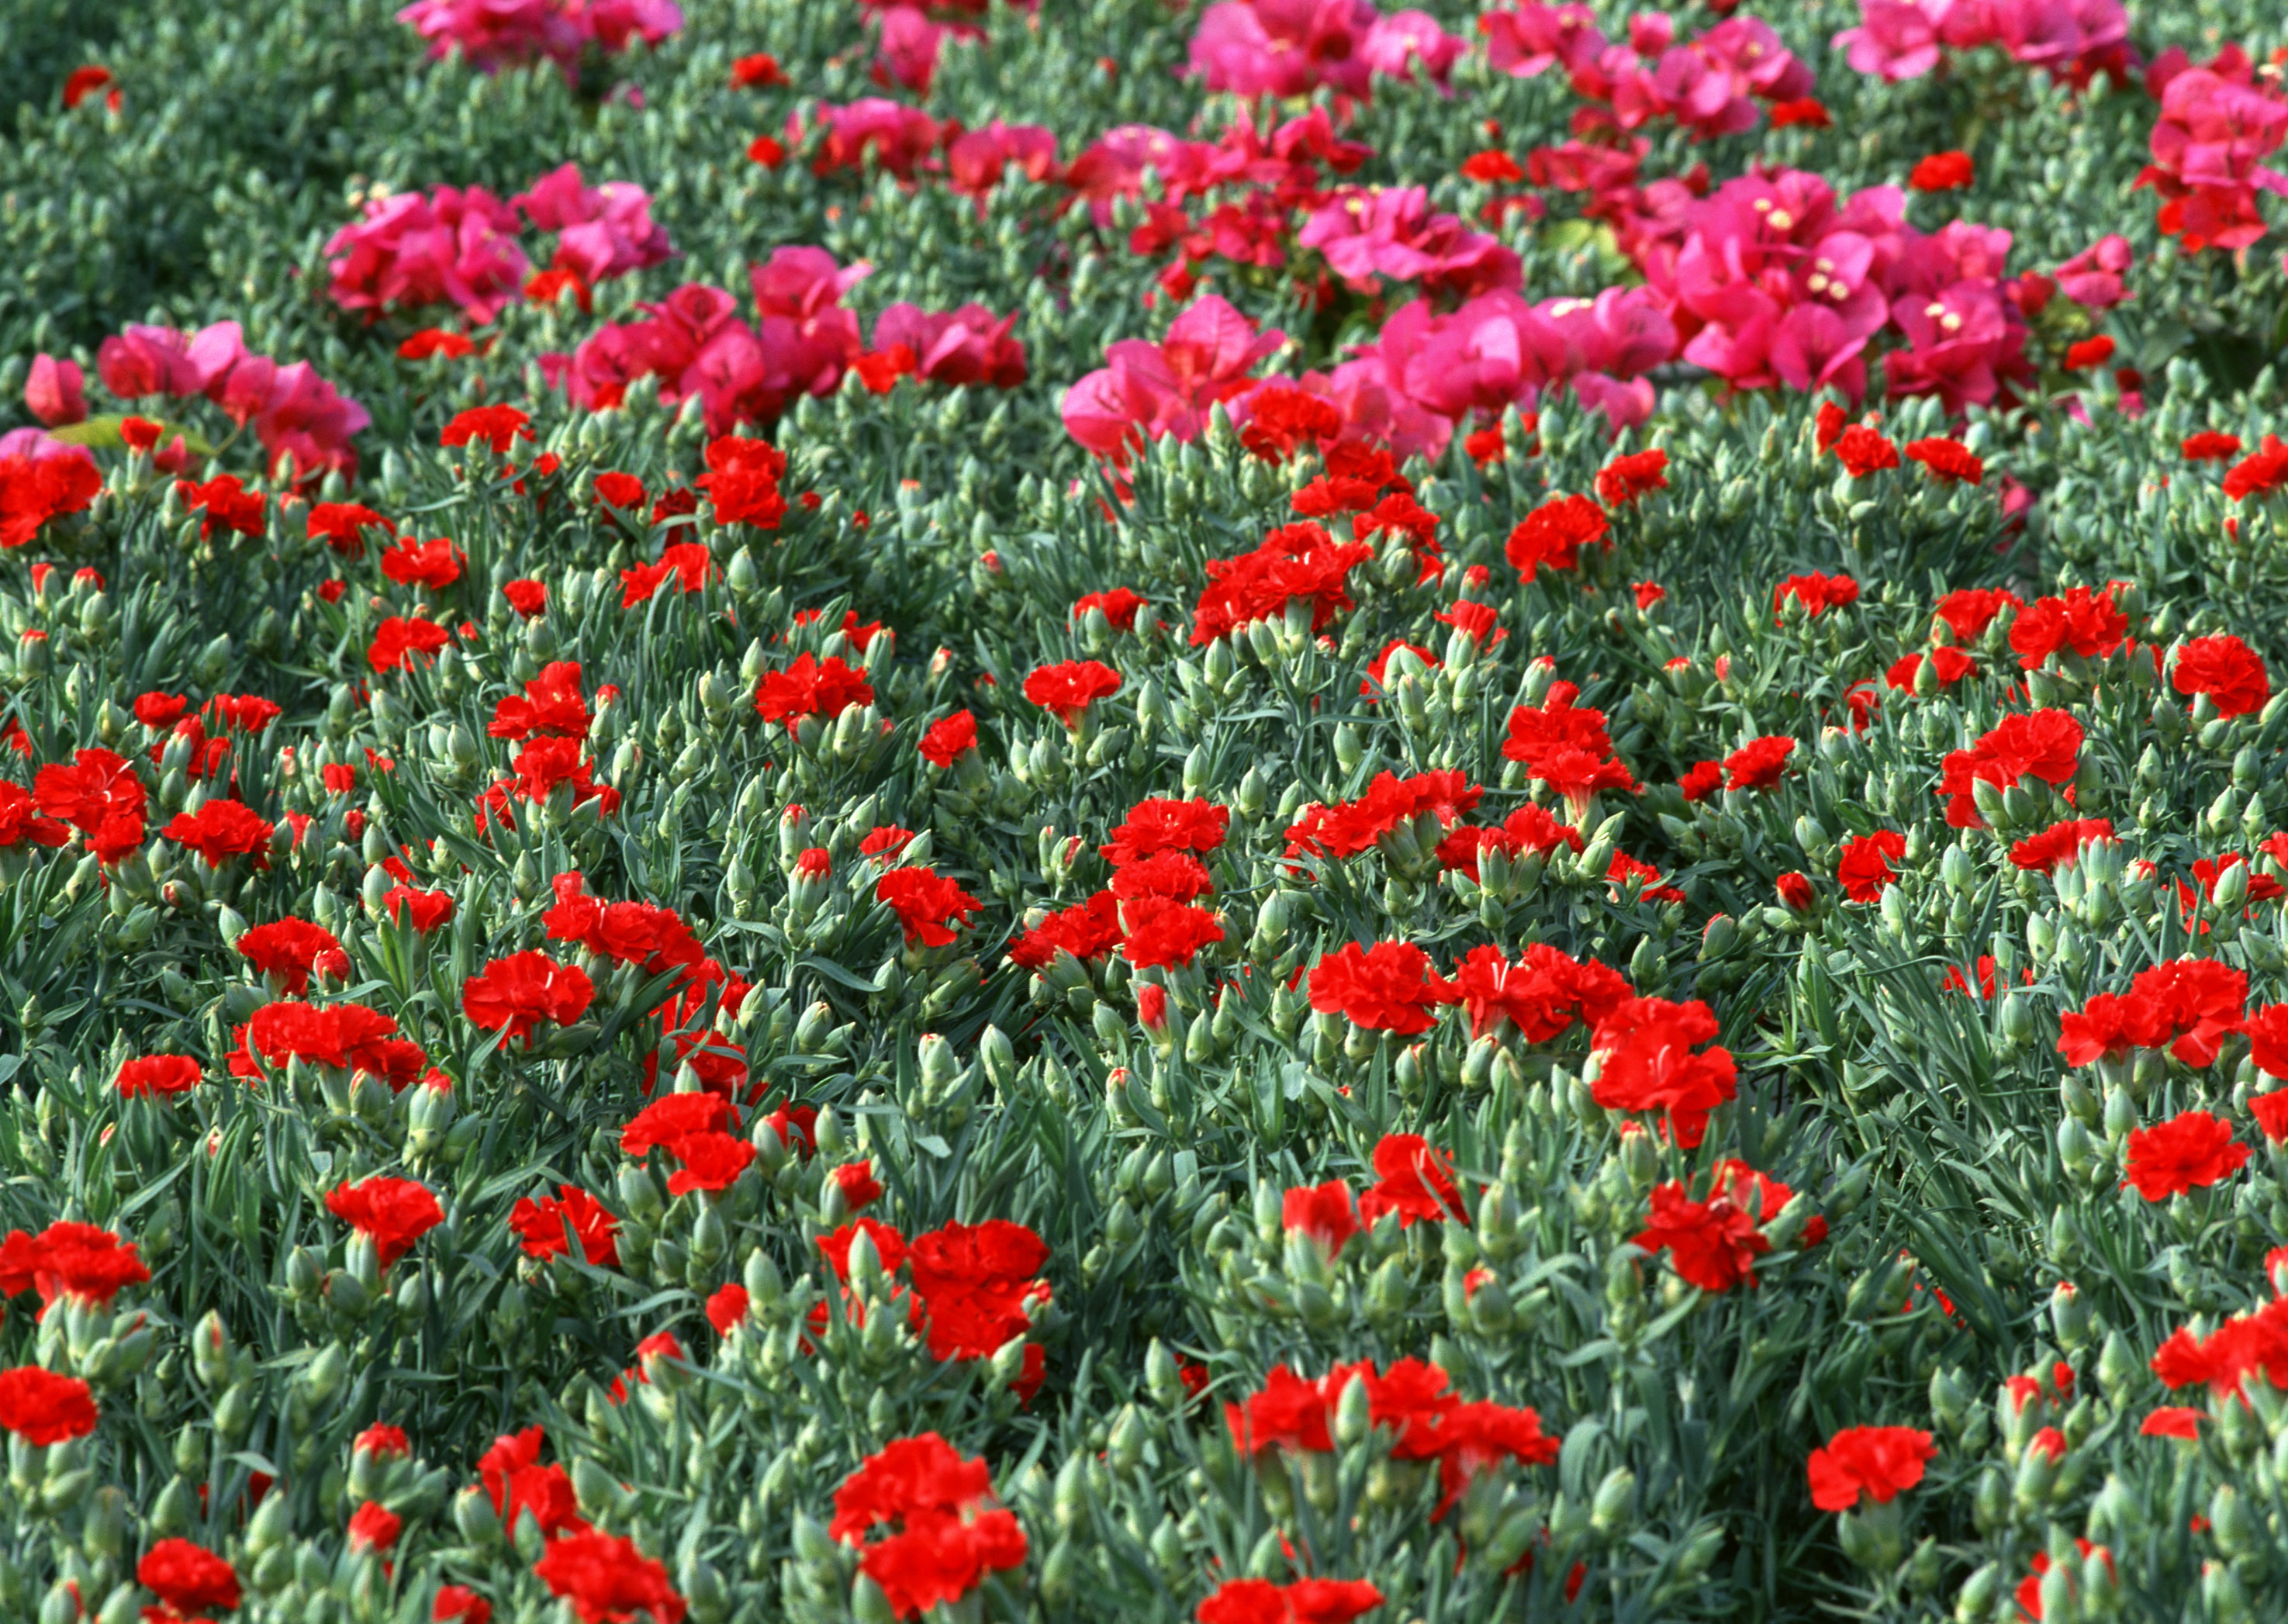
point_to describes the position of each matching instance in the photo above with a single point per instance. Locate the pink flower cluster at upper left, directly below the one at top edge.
(461, 246)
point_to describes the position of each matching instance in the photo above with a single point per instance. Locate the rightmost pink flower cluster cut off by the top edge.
(2072, 40)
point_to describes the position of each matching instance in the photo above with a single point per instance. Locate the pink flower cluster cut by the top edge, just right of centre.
(1298, 47)
